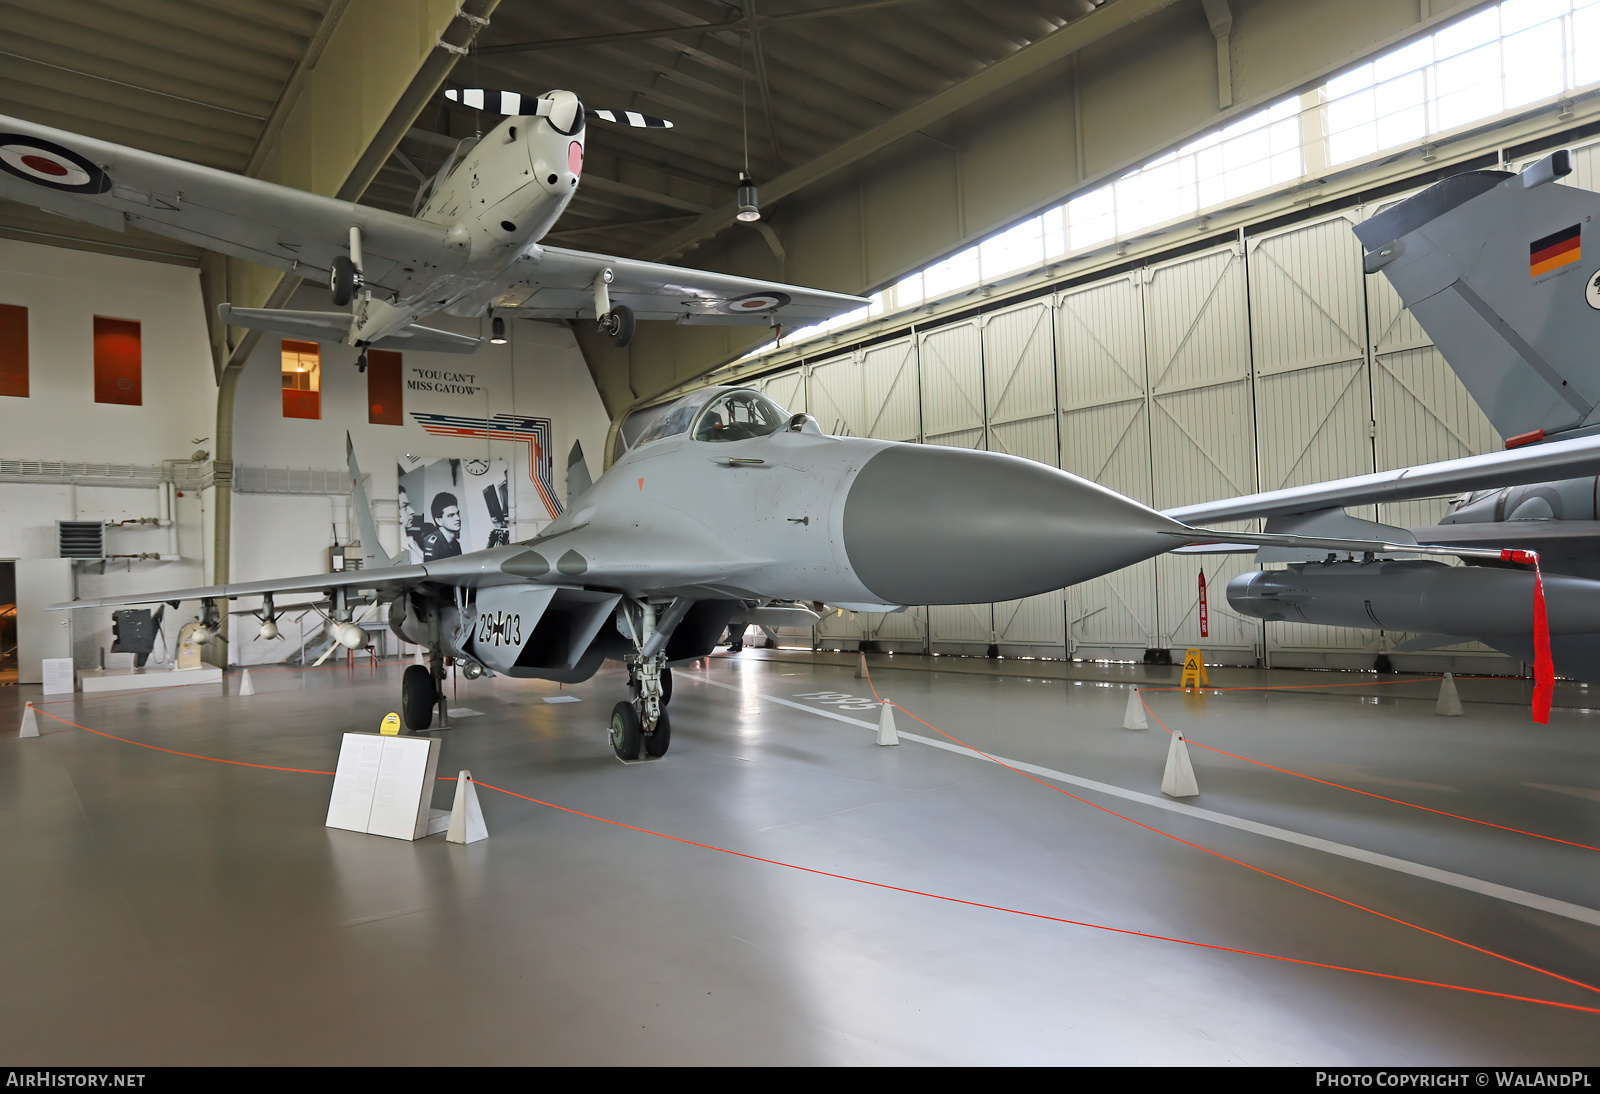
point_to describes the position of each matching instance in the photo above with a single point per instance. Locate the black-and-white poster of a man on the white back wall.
(454, 506)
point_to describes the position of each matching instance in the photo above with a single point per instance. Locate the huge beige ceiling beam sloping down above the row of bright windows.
(1097, 98)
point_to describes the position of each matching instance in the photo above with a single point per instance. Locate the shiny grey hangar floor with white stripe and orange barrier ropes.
(164, 909)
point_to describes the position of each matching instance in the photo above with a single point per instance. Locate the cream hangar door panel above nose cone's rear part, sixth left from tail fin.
(953, 413)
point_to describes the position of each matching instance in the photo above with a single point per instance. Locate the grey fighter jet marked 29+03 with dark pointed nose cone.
(729, 503)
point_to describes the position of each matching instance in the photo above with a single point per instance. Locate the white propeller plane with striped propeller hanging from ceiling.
(470, 249)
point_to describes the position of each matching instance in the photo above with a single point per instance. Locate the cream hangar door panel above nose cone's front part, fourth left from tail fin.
(1105, 437)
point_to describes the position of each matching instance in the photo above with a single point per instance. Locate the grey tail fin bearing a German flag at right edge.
(1503, 273)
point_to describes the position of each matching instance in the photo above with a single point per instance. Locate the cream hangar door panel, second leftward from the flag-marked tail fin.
(1313, 381)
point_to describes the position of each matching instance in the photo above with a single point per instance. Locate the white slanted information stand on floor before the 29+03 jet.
(385, 786)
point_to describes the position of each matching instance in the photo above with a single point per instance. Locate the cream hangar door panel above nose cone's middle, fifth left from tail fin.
(1020, 391)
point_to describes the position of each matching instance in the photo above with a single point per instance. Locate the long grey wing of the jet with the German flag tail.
(1516, 468)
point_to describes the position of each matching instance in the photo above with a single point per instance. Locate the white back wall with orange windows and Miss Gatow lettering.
(538, 373)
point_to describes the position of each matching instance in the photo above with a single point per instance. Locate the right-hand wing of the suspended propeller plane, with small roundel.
(558, 284)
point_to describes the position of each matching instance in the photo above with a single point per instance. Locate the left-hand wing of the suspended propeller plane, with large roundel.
(297, 231)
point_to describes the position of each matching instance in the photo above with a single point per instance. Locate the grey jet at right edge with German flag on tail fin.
(1503, 273)
